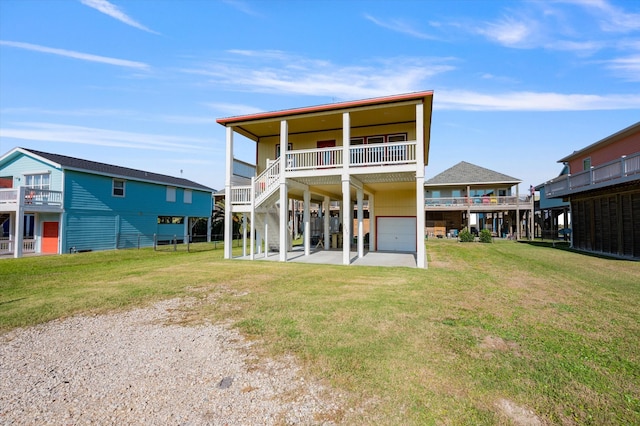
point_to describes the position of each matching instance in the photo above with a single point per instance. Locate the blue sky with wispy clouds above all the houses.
(517, 84)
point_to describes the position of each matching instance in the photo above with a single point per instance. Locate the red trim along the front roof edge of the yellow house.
(325, 107)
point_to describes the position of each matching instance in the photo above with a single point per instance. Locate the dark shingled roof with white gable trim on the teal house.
(78, 164)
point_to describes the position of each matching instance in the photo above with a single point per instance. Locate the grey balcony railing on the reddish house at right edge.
(625, 168)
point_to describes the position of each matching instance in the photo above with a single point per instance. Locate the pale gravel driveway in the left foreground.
(132, 368)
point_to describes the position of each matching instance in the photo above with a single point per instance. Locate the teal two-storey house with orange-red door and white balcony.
(52, 203)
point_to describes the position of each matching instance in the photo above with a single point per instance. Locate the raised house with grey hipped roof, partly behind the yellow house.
(466, 195)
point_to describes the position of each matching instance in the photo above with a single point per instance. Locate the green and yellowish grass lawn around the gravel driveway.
(489, 334)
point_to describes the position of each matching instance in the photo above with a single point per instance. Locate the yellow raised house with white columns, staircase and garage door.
(372, 150)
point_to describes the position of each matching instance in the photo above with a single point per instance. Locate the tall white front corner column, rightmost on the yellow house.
(420, 212)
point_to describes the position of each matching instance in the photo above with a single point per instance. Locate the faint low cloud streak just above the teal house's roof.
(52, 132)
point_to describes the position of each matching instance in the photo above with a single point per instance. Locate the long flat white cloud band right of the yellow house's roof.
(532, 101)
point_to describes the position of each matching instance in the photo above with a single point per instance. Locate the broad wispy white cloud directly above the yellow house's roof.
(296, 75)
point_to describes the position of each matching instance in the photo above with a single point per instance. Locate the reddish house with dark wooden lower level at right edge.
(603, 189)
